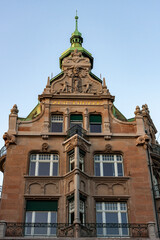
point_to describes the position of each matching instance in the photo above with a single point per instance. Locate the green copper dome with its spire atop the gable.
(76, 41)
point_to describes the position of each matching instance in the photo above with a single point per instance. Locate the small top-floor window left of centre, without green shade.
(57, 123)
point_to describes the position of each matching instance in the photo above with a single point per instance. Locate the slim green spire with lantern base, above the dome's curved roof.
(76, 39)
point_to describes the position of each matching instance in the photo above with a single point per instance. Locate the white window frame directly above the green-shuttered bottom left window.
(52, 158)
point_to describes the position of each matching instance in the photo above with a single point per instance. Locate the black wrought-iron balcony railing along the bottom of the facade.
(68, 230)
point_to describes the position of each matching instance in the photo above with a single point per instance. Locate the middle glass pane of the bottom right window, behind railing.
(112, 218)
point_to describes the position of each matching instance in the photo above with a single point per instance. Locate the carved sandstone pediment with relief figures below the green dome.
(76, 79)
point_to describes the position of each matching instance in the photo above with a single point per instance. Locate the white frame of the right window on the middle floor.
(117, 159)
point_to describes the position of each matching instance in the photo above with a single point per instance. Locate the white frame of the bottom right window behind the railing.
(121, 208)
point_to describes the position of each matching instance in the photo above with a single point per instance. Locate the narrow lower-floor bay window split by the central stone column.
(81, 211)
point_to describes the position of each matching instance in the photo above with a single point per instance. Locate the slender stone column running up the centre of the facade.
(76, 194)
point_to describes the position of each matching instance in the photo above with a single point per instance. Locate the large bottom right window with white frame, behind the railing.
(111, 215)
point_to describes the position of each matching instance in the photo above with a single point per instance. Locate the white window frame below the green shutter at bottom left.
(33, 221)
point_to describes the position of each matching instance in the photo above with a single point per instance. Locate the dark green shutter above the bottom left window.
(41, 206)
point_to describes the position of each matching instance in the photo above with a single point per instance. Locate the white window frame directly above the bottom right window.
(112, 158)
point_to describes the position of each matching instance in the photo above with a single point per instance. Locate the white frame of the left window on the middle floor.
(52, 159)
